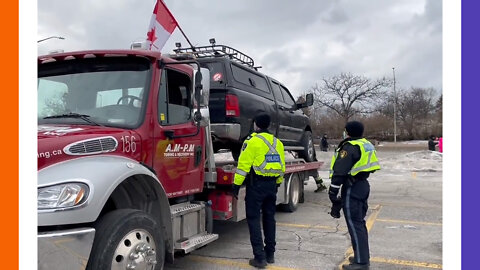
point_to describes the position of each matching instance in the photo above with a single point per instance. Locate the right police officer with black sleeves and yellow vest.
(350, 168)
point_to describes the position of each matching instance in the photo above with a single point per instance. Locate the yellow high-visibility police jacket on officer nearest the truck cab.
(265, 154)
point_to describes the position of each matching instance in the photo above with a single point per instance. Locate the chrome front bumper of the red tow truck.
(67, 249)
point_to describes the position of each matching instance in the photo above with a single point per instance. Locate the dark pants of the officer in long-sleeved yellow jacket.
(260, 200)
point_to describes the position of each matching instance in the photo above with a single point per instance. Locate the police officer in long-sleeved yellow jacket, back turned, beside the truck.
(261, 166)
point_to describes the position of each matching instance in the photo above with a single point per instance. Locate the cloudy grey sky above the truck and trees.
(296, 42)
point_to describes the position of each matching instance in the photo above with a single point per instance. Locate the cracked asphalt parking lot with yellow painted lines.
(404, 222)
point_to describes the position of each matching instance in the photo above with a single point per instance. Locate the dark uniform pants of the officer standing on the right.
(355, 206)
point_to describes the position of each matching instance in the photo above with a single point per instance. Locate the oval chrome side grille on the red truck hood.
(92, 146)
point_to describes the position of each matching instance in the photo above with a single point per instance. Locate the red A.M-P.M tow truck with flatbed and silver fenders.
(126, 170)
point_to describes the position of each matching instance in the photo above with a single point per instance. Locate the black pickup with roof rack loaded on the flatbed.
(238, 92)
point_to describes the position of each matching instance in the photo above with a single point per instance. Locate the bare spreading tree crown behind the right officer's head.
(347, 94)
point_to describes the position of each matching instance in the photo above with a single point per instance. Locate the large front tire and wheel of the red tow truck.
(127, 237)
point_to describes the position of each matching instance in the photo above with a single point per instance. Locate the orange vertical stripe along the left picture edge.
(9, 133)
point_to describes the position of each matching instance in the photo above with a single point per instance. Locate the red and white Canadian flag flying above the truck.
(161, 26)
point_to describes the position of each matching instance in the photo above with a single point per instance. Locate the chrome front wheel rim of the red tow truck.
(136, 250)
